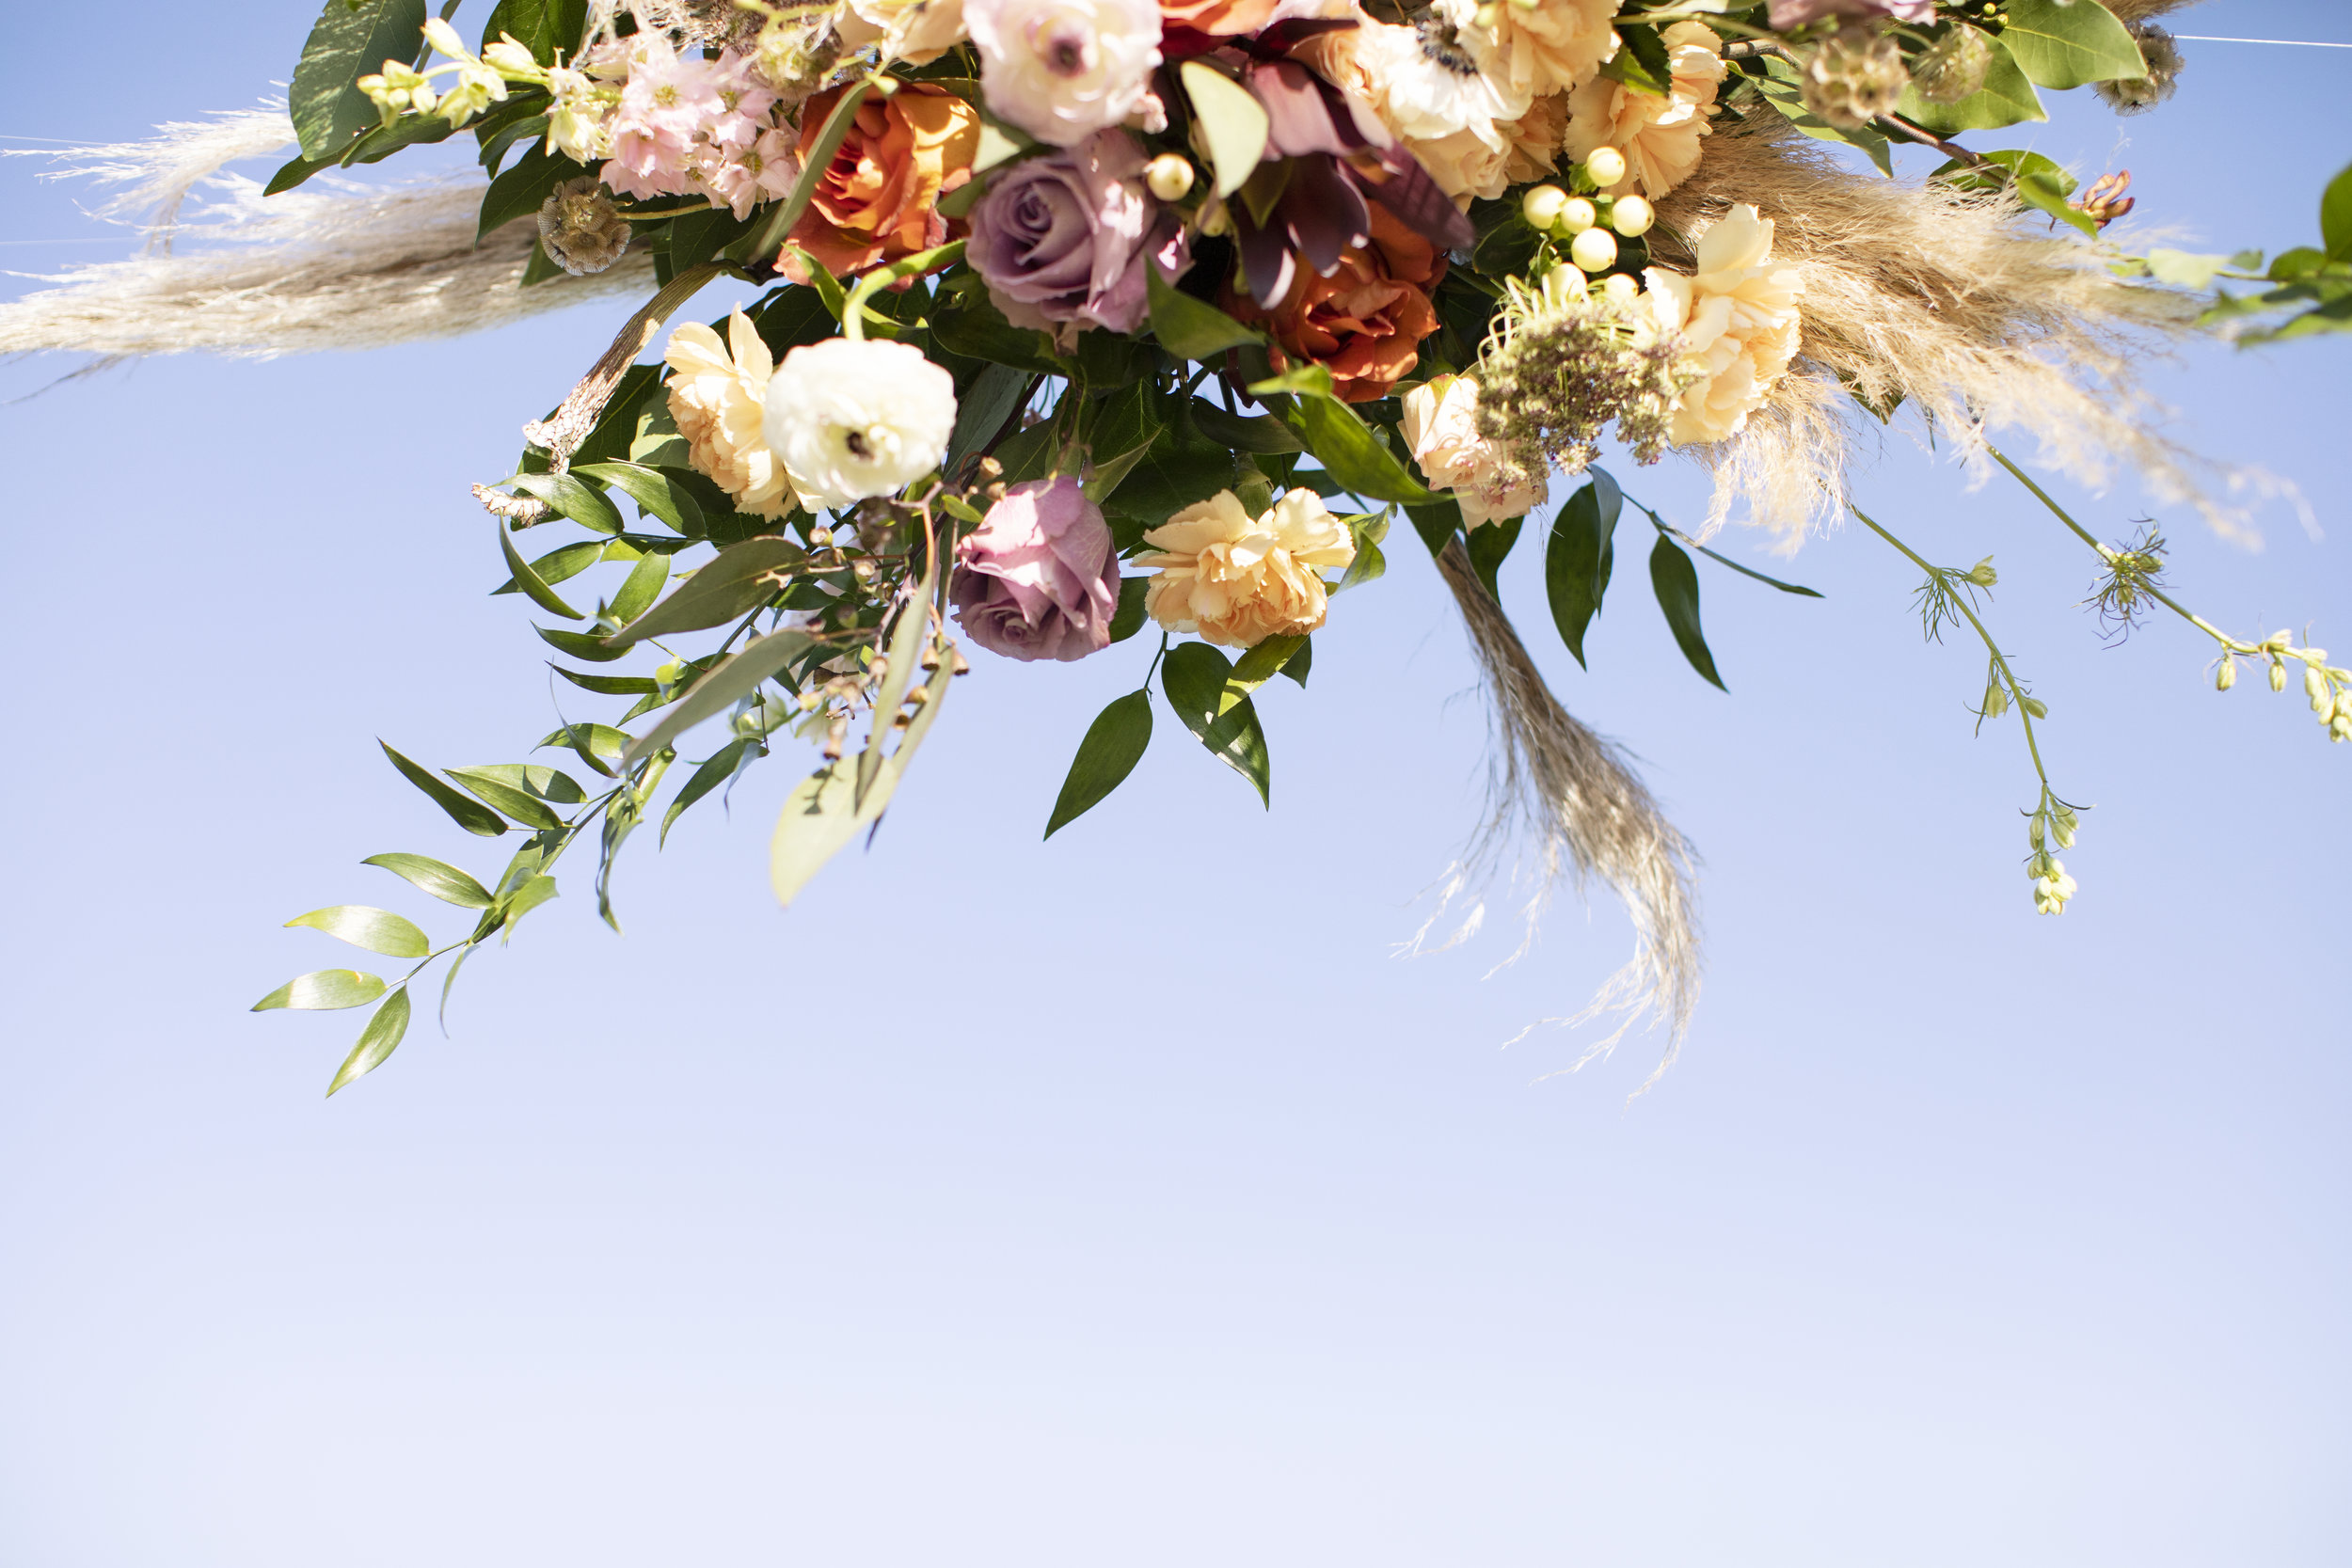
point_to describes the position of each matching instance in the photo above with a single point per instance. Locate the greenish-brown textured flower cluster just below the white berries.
(1563, 363)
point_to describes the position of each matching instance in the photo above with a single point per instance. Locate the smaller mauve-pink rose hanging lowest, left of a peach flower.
(1038, 579)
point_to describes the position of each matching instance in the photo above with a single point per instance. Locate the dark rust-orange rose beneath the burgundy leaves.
(1365, 321)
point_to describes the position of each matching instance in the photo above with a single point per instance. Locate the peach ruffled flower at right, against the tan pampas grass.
(1737, 321)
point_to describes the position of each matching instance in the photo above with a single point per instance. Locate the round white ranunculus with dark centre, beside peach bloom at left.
(857, 420)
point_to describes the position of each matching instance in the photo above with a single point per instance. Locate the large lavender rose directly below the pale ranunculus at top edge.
(1062, 241)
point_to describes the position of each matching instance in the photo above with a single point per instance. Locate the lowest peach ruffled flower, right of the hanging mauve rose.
(1243, 579)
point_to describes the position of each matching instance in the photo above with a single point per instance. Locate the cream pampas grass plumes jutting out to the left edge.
(328, 267)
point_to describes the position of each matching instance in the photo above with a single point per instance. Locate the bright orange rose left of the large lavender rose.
(878, 201)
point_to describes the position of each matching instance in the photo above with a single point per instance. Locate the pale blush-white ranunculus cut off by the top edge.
(1064, 69)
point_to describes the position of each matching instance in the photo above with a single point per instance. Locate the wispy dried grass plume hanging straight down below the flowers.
(1570, 800)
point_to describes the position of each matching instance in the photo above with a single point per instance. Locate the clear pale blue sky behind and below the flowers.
(1123, 1200)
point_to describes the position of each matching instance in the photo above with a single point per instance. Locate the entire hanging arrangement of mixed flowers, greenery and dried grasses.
(1102, 321)
